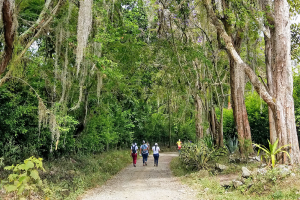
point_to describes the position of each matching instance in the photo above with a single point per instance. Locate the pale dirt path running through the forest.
(145, 183)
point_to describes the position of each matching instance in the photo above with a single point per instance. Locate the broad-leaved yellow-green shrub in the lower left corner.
(25, 177)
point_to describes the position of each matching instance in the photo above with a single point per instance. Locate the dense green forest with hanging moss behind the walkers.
(88, 76)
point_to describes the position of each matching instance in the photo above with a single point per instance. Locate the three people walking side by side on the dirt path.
(144, 151)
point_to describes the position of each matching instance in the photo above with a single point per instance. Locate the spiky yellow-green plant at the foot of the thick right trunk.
(272, 151)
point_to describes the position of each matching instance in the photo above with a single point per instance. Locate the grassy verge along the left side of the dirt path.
(67, 178)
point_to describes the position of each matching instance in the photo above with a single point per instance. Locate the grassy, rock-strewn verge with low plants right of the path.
(223, 177)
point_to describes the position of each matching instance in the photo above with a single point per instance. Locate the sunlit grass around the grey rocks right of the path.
(267, 187)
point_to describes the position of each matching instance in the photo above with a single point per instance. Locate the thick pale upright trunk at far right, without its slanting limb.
(283, 83)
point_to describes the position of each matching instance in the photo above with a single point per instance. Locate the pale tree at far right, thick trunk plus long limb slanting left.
(281, 103)
